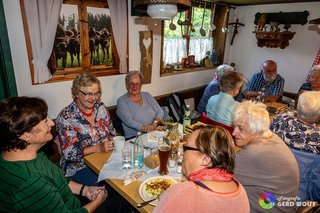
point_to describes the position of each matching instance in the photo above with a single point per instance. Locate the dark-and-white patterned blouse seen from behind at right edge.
(296, 134)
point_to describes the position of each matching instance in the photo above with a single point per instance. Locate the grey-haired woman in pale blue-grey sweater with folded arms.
(138, 111)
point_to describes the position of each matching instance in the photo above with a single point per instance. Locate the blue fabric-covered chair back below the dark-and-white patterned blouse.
(309, 172)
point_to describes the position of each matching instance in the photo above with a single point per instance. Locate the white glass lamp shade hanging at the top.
(162, 11)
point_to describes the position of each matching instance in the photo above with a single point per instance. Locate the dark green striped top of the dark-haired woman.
(35, 186)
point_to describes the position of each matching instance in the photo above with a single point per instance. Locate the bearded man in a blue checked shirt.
(266, 81)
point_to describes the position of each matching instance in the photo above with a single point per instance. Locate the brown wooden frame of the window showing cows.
(70, 73)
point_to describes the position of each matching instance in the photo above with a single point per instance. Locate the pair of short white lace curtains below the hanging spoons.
(175, 49)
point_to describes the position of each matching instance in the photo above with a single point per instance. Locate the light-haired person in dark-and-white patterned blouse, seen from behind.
(300, 130)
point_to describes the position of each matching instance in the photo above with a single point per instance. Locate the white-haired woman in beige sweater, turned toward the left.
(265, 166)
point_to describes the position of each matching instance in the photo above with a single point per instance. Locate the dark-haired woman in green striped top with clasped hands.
(29, 181)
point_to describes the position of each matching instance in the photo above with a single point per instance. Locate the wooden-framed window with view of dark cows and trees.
(84, 41)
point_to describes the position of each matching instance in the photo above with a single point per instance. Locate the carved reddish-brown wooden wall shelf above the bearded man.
(273, 39)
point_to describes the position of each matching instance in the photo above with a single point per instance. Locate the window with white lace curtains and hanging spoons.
(188, 39)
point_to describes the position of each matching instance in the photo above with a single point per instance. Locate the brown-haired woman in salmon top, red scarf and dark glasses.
(208, 164)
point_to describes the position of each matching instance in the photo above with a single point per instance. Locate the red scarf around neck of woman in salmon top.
(216, 174)
